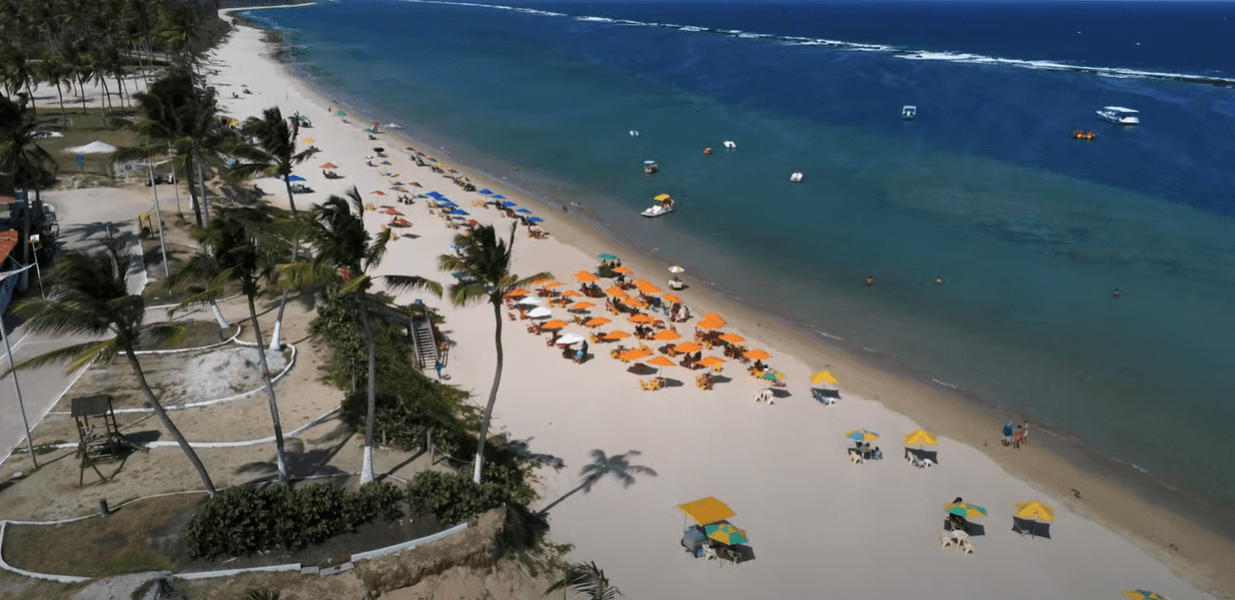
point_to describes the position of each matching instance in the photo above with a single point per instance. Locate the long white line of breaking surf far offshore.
(910, 55)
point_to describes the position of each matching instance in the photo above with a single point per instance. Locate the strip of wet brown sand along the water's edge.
(1054, 466)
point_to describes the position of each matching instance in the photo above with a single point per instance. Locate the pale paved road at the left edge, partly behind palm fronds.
(86, 217)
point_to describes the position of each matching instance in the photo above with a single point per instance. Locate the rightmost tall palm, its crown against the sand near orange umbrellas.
(485, 264)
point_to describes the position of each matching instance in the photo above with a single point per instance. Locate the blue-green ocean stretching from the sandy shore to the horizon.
(1029, 229)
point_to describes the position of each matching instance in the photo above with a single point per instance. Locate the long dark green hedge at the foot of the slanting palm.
(241, 522)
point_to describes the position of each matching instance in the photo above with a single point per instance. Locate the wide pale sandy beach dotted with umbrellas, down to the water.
(816, 520)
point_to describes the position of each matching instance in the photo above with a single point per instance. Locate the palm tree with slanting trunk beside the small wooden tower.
(90, 297)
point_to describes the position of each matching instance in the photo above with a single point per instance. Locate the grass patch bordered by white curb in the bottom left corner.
(132, 540)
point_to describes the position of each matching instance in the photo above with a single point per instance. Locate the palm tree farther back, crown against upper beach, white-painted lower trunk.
(274, 152)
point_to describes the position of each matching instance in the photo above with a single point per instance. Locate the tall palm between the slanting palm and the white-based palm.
(240, 246)
